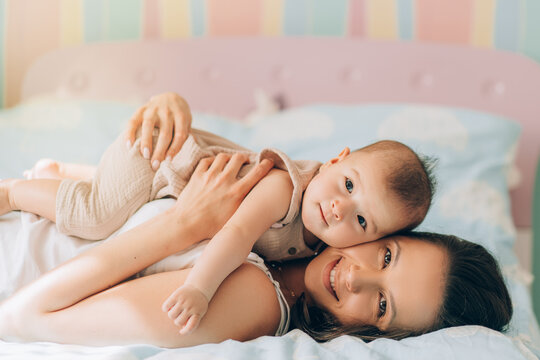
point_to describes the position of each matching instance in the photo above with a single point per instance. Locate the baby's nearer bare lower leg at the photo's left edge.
(36, 196)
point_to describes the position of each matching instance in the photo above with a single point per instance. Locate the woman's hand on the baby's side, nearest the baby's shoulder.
(214, 192)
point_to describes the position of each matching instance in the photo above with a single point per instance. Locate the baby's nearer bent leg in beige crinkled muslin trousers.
(94, 208)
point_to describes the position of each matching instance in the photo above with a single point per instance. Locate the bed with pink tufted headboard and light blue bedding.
(476, 110)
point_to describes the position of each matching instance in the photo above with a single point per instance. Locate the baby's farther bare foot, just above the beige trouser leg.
(52, 169)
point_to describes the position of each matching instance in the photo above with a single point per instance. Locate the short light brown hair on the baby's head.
(409, 177)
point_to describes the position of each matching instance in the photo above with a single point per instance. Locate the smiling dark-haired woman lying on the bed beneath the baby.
(397, 286)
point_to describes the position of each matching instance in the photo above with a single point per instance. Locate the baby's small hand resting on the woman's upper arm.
(186, 306)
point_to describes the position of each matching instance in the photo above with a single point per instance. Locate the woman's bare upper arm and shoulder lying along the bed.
(244, 307)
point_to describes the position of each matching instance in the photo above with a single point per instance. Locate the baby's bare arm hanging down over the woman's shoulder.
(267, 203)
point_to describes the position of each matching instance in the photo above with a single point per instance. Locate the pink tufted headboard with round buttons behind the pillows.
(220, 75)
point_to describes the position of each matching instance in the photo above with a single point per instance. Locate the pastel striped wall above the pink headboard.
(30, 28)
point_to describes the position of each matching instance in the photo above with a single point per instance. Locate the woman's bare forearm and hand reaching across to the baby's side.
(211, 194)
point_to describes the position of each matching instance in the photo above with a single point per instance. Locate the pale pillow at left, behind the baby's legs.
(71, 131)
